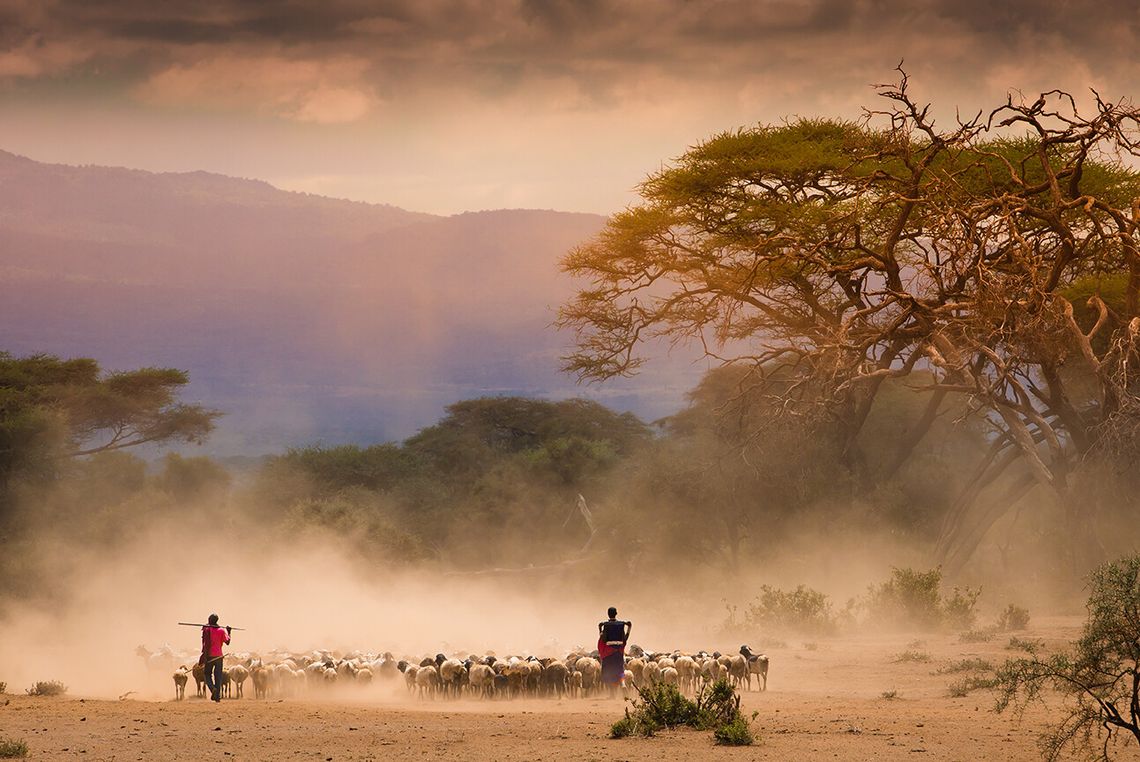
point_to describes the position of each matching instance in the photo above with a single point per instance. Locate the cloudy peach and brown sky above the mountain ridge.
(447, 107)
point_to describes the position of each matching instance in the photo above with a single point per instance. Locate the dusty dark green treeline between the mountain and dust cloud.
(494, 484)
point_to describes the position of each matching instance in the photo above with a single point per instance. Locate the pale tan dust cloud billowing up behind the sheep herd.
(307, 593)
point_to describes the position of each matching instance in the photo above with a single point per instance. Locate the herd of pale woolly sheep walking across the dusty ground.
(577, 675)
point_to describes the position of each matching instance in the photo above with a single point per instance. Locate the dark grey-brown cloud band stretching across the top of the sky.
(606, 48)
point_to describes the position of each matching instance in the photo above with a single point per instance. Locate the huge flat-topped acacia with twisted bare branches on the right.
(846, 254)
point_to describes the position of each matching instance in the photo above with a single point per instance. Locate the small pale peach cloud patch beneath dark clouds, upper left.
(328, 92)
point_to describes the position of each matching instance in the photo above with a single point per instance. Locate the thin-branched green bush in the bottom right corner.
(1100, 679)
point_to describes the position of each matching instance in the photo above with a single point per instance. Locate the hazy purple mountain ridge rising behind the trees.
(305, 319)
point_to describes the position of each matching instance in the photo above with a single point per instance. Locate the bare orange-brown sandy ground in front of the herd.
(836, 699)
